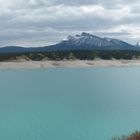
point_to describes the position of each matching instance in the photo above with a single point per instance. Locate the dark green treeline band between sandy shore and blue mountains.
(70, 55)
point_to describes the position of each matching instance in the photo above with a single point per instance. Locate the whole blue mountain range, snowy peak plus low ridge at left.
(85, 41)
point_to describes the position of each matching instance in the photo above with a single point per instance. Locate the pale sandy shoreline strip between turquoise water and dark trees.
(68, 64)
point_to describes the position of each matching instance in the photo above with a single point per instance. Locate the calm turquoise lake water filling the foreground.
(69, 104)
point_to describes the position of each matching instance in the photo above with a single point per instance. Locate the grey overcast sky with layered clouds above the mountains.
(43, 22)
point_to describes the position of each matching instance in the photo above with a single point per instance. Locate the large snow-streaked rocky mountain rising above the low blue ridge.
(87, 41)
